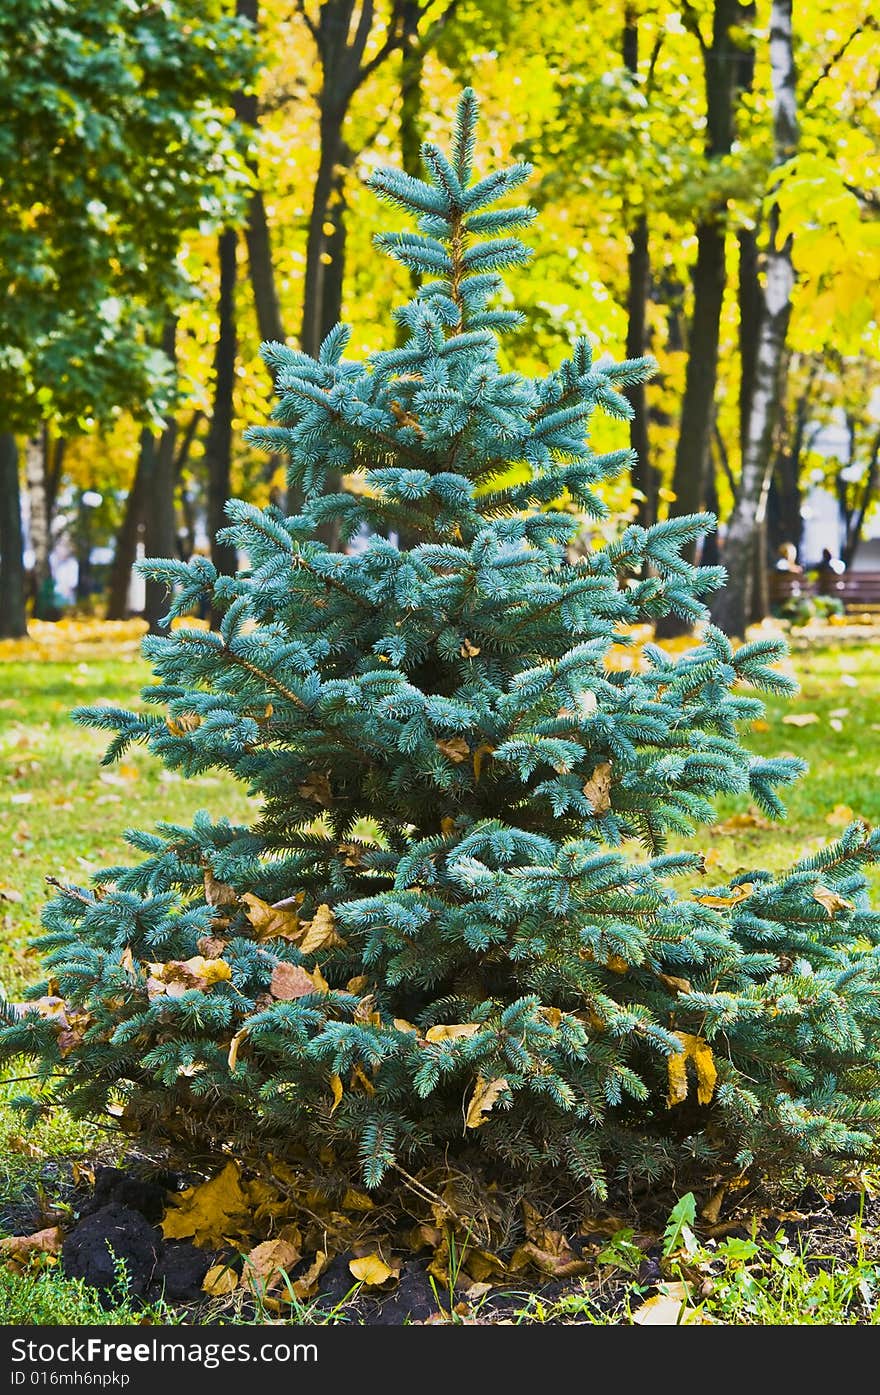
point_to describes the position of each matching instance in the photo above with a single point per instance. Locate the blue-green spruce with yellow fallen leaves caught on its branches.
(451, 930)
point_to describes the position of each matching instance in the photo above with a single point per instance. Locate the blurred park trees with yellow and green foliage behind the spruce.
(182, 181)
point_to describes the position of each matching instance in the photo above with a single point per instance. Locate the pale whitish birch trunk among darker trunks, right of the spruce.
(736, 605)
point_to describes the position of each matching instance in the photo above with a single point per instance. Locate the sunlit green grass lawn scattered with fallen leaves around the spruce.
(65, 815)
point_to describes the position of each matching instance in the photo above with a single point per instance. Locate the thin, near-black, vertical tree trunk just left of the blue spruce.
(218, 447)
